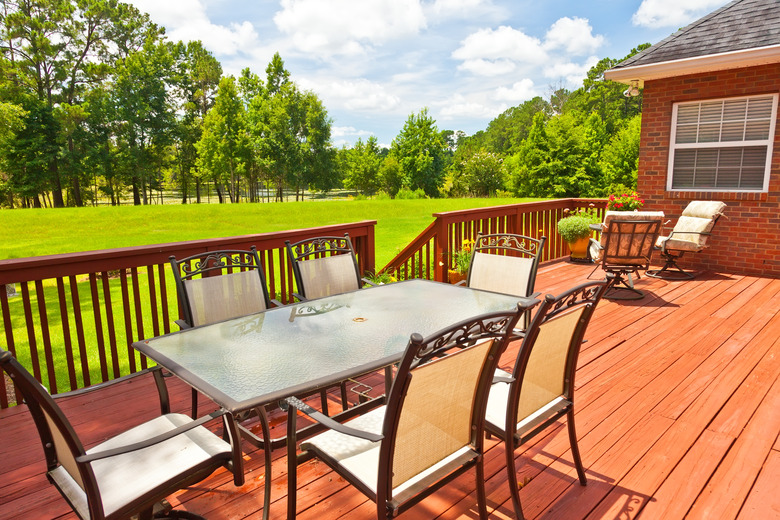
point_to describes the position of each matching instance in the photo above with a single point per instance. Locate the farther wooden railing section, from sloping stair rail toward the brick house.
(430, 254)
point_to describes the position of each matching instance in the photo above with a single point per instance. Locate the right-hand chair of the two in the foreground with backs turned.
(540, 388)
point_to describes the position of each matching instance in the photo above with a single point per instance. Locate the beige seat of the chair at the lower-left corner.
(124, 478)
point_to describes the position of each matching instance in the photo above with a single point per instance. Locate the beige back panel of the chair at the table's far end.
(500, 273)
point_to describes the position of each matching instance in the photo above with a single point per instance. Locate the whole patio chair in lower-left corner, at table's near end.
(131, 473)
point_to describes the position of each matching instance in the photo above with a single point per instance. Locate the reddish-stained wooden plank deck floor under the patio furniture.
(678, 414)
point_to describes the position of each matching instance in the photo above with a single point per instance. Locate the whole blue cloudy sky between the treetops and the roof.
(375, 62)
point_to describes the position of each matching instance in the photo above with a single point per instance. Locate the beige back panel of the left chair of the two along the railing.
(219, 298)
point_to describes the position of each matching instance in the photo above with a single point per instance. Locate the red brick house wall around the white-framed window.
(745, 241)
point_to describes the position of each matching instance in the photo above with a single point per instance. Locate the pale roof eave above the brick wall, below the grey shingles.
(699, 64)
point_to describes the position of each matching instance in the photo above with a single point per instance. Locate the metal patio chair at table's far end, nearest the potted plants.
(505, 263)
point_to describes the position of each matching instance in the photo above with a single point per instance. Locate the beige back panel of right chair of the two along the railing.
(328, 275)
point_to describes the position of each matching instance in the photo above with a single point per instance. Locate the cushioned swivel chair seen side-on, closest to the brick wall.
(689, 234)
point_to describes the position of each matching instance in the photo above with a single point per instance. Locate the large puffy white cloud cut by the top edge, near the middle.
(348, 27)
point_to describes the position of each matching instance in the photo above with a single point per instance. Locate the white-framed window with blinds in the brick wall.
(722, 145)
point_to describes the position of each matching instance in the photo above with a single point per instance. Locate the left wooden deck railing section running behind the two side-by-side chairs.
(76, 315)
